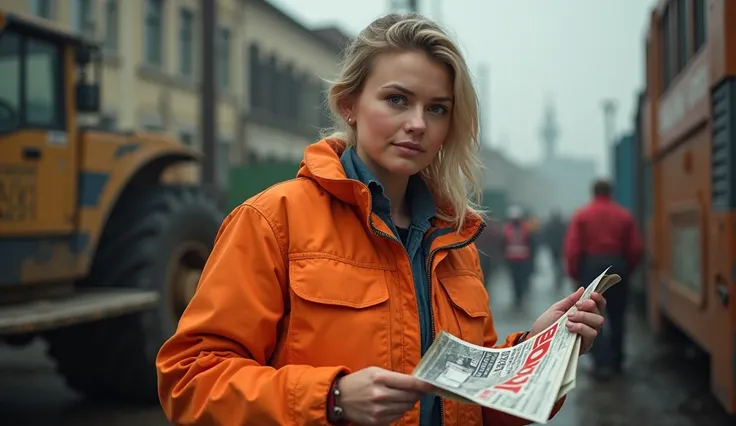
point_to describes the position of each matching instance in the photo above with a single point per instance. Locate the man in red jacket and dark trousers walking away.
(603, 234)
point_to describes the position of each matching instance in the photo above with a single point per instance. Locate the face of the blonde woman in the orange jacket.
(402, 116)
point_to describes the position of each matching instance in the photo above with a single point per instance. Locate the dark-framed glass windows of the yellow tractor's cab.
(30, 87)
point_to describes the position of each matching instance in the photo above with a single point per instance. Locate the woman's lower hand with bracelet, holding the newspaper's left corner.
(374, 396)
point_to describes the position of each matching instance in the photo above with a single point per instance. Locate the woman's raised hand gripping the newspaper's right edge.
(586, 322)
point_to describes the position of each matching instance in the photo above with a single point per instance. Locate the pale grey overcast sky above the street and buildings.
(576, 52)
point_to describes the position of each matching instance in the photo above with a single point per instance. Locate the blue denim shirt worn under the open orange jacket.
(422, 209)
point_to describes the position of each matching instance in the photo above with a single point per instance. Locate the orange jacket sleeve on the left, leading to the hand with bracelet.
(213, 370)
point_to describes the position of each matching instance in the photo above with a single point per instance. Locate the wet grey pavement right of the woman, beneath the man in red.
(664, 384)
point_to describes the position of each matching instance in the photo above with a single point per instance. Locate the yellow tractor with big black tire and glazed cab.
(103, 235)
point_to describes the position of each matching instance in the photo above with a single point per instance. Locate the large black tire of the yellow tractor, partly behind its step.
(155, 239)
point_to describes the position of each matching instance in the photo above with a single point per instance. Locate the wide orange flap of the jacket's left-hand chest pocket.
(331, 282)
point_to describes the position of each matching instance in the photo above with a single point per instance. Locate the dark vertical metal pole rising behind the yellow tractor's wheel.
(208, 104)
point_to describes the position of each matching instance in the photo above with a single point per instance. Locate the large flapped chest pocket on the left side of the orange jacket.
(339, 314)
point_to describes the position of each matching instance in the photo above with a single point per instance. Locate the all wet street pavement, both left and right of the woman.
(665, 384)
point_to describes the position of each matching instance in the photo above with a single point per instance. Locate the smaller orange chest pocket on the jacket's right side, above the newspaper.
(468, 305)
